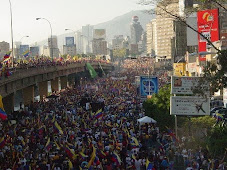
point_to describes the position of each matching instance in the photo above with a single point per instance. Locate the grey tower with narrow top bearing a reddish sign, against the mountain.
(136, 30)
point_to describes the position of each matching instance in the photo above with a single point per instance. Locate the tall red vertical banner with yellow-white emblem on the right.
(208, 25)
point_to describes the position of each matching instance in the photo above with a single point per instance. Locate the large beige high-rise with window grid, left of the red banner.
(166, 36)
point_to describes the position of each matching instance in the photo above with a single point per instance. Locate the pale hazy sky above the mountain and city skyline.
(61, 13)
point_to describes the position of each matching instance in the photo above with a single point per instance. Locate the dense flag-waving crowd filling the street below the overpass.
(94, 126)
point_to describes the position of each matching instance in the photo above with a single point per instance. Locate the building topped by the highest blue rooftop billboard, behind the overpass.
(70, 47)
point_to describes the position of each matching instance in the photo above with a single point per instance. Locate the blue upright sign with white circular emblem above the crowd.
(148, 85)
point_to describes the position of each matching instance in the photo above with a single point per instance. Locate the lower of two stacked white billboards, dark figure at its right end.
(189, 105)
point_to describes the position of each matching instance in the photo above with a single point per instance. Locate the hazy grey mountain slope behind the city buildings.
(117, 26)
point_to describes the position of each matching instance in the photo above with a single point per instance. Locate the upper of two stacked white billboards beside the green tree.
(185, 85)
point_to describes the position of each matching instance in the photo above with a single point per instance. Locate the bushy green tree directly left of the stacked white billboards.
(158, 108)
